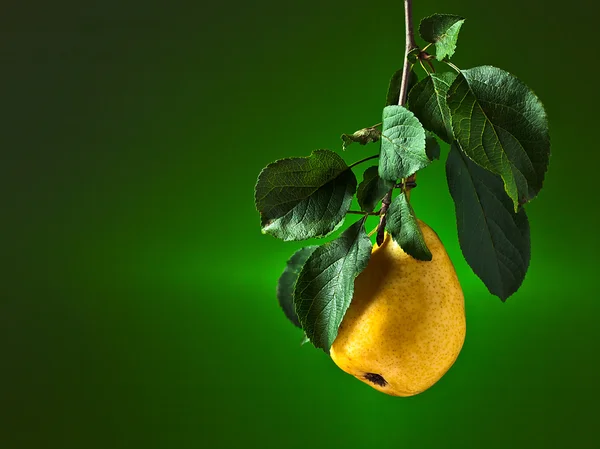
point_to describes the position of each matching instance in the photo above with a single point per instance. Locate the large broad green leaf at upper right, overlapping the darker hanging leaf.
(501, 125)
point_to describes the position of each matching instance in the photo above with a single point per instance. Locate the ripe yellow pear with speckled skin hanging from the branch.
(406, 323)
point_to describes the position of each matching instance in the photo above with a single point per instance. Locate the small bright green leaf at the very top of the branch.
(441, 30)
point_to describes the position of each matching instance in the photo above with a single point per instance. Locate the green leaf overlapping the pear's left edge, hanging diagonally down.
(326, 284)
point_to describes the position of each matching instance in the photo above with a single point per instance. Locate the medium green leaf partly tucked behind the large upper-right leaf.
(428, 102)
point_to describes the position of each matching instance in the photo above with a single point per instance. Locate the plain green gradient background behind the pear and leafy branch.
(138, 301)
